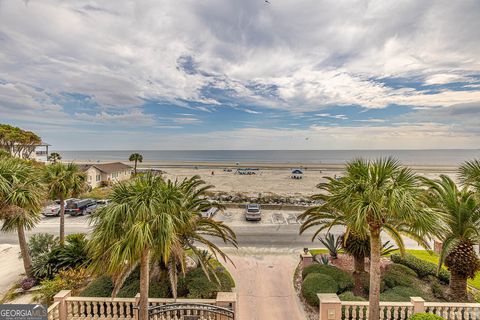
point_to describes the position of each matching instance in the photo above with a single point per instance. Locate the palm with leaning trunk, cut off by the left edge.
(21, 195)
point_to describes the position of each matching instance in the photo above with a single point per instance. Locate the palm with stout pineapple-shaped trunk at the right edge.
(461, 210)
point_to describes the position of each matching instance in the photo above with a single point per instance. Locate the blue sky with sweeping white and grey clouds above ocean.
(242, 74)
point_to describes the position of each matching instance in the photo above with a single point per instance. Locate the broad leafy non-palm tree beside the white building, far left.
(18, 142)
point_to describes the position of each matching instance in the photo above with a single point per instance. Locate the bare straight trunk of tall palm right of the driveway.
(374, 296)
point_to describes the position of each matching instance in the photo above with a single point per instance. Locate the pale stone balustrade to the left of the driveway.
(66, 307)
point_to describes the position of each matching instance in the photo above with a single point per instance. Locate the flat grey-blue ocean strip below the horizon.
(417, 157)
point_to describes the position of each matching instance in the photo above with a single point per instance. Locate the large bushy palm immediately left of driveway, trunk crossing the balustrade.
(150, 219)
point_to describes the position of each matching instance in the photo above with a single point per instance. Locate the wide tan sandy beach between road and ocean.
(270, 178)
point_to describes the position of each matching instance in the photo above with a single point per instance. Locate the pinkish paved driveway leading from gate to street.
(264, 284)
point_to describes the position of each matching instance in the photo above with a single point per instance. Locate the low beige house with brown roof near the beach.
(99, 174)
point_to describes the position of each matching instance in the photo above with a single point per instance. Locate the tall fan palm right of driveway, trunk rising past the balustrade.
(381, 196)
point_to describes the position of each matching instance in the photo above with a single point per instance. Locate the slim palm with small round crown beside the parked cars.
(63, 181)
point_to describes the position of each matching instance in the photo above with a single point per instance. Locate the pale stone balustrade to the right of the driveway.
(331, 308)
